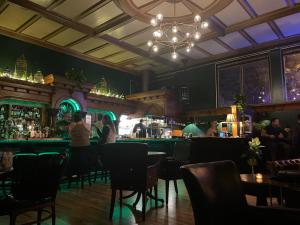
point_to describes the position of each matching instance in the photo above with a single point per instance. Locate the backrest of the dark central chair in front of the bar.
(127, 163)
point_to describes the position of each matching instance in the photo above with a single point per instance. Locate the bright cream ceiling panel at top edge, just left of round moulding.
(102, 15)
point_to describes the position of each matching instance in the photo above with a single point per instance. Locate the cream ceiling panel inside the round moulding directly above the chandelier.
(166, 9)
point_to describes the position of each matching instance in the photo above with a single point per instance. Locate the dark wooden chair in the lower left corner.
(35, 181)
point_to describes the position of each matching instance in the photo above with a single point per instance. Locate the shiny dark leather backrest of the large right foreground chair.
(215, 192)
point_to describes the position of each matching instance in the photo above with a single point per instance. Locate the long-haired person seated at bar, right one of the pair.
(109, 132)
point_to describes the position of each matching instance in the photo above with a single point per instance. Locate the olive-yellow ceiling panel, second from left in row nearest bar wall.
(41, 28)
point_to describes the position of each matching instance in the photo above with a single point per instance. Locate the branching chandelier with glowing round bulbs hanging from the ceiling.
(175, 35)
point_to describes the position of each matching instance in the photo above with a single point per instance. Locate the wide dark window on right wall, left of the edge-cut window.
(251, 79)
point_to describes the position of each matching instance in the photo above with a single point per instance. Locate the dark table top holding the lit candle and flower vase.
(268, 179)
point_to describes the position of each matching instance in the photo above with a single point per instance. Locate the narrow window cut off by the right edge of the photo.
(292, 76)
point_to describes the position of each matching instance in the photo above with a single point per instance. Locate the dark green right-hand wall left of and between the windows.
(201, 81)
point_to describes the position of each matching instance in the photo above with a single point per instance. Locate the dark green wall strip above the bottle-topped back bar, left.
(49, 61)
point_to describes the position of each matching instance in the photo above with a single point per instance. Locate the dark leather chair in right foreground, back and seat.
(217, 198)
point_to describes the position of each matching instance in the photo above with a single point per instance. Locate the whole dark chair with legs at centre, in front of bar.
(127, 163)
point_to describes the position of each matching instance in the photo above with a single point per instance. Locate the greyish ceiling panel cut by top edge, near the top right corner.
(263, 6)
